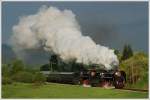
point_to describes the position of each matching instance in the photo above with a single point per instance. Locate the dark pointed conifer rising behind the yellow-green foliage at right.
(127, 52)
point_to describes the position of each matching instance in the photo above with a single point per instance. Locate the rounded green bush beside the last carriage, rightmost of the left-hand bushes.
(39, 78)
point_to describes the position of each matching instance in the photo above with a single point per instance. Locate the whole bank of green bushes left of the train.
(17, 72)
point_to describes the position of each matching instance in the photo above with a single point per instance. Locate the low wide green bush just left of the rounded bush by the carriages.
(23, 76)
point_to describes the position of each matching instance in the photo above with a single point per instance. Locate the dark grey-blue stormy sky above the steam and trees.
(111, 24)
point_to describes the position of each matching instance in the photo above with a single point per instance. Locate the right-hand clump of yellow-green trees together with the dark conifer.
(135, 64)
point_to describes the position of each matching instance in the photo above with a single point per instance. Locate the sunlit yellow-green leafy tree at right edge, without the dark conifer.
(136, 68)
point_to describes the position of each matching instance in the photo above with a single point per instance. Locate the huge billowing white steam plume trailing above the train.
(59, 32)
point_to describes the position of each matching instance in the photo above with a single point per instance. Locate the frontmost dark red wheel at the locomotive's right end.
(119, 83)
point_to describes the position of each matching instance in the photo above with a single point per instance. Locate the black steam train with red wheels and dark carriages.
(78, 75)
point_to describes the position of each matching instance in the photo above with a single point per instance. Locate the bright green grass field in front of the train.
(53, 90)
